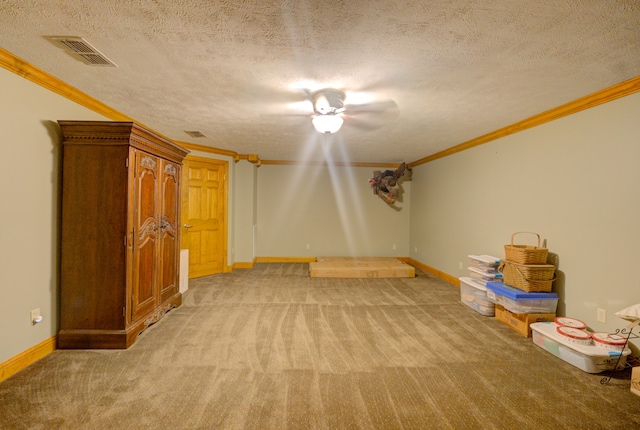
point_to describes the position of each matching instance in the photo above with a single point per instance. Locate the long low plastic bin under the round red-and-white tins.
(590, 358)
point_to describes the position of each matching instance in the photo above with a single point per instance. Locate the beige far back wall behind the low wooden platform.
(332, 209)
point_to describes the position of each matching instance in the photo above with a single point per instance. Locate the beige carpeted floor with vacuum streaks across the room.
(272, 348)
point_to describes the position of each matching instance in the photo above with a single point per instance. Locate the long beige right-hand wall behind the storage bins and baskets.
(575, 181)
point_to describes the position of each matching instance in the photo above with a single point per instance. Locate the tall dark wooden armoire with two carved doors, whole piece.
(120, 233)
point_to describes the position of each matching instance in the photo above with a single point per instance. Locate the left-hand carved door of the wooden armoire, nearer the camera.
(145, 234)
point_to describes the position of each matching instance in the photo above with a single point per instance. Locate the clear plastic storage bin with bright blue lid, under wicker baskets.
(521, 302)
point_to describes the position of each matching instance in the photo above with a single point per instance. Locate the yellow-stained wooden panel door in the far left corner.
(204, 207)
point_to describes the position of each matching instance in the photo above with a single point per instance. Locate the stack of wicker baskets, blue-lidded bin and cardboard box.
(525, 297)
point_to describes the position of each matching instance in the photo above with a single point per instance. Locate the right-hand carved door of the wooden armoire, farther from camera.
(168, 231)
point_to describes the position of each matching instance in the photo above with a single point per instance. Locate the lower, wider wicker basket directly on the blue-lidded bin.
(528, 277)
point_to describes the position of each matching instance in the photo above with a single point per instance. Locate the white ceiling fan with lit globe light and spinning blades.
(330, 111)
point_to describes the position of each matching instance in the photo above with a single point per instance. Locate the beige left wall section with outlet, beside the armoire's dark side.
(29, 221)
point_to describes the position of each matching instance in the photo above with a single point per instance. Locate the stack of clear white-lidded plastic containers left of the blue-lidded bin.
(473, 290)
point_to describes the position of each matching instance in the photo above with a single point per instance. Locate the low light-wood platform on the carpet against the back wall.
(360, 267)
